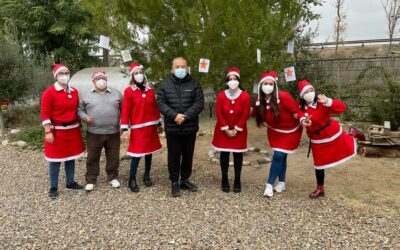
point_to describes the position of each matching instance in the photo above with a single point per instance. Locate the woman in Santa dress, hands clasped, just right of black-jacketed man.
(230, 133)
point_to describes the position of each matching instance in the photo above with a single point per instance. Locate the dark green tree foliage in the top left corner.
(55, 27)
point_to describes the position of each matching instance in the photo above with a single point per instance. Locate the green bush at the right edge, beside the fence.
(385, 106)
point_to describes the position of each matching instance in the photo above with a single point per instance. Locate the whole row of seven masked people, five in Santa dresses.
(138, 116)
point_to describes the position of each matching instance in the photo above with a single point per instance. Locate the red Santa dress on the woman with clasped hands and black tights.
(232, 111)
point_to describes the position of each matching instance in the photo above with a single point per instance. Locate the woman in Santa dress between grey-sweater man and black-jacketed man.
(140, 113)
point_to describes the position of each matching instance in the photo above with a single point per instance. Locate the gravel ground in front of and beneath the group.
(117, 219)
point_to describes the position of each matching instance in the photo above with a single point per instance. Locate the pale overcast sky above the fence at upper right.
(365, 20)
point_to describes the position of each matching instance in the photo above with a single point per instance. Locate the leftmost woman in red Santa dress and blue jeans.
(63, 140)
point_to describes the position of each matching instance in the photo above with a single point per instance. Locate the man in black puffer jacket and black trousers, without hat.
(180, 99)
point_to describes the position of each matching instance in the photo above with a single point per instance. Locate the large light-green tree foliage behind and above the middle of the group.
(226, 32)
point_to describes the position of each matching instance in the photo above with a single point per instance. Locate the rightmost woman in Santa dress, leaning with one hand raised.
(330, 145)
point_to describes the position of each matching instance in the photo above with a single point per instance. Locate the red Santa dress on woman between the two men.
(140, 113)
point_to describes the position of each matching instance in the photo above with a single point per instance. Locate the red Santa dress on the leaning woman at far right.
(330, 145)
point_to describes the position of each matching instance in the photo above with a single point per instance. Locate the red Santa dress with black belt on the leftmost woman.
(59, 109)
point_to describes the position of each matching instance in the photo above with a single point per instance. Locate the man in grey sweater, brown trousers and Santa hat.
(100, 109)
